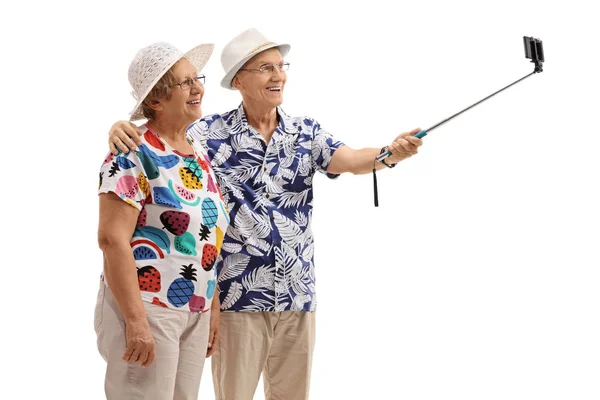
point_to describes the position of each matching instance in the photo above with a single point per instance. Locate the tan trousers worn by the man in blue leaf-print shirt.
(277, 344)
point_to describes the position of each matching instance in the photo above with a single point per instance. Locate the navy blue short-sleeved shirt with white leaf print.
(266, 262)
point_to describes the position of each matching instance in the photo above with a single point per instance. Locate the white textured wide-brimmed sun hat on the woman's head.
(152, 62)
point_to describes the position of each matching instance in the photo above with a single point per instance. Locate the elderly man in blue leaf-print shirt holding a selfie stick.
(265, 161)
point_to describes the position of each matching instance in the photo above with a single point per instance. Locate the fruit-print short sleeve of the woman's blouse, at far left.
(124, 176)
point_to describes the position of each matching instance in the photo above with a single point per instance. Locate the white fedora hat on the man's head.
(242, 48)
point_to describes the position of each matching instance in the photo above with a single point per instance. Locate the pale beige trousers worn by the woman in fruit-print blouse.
(181, 339)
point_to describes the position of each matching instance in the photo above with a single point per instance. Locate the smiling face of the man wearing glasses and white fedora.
(262, 88)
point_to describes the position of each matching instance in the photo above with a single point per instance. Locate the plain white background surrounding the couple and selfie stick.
(477, 277)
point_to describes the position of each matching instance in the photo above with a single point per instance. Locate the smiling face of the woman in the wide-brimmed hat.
(184, 104)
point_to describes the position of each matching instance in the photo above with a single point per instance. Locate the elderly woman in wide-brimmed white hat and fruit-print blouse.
(162, 222)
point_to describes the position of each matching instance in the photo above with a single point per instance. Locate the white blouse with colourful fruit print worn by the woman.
(181, 224)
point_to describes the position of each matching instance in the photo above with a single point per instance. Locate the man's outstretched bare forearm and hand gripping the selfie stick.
(362, 161)
